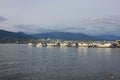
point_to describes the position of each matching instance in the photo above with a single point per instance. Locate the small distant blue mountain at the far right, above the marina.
(107, 37)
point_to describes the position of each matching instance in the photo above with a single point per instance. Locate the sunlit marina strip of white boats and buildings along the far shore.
(78, 44)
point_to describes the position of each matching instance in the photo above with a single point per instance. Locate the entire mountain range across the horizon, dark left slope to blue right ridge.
(13, 36)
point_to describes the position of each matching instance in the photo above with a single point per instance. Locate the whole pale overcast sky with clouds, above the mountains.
(94, 17)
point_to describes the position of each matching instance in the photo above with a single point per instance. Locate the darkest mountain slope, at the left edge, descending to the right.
(4, 35)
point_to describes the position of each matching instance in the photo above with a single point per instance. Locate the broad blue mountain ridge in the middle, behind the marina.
(65, 36)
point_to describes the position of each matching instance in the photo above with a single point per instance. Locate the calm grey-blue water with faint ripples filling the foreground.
(20, 62)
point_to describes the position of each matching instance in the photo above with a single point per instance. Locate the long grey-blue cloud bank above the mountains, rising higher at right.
(96, 26)
